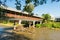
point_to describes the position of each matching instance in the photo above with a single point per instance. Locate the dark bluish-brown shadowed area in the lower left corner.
(5, 35)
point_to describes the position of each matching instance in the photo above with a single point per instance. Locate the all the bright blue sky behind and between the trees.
(51, 8)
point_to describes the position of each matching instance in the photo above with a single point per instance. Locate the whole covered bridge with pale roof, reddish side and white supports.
(19, 16)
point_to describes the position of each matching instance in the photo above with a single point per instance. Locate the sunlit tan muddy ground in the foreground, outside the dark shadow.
(41, 33)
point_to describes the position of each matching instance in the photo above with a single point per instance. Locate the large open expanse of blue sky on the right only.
(51, 8)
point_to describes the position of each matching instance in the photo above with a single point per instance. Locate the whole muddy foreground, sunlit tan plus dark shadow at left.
(30, 33)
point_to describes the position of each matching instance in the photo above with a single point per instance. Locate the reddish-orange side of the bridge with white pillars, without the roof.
(24, 18)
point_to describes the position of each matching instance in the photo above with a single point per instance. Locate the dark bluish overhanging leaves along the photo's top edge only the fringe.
(35, 2)
